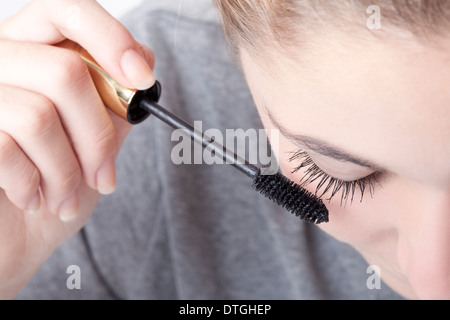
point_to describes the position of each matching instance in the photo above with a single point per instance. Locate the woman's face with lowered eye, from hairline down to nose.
(373, 117)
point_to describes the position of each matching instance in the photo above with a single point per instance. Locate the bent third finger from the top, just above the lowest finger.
(33, 123)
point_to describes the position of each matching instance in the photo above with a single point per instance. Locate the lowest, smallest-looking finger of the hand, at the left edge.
(19, 178)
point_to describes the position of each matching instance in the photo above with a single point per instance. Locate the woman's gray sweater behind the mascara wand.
(196, 231)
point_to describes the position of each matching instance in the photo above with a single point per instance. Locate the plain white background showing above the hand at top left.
(115, 7)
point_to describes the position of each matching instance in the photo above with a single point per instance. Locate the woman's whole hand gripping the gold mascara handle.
(58, 143)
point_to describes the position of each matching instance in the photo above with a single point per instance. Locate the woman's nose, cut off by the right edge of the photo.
(424, 243)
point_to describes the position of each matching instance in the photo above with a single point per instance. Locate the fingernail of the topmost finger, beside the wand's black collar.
(137, 70)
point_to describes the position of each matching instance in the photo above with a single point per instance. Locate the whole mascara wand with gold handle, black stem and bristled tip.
(136, 106)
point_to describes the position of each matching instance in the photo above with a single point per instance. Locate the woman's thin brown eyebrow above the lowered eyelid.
(320, 146)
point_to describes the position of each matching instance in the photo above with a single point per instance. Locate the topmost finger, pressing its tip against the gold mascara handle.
(87, 23)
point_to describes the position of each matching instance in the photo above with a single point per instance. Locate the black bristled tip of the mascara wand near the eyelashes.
(292, 197)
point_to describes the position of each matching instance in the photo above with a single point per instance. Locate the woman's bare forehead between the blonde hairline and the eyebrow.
(389, 103)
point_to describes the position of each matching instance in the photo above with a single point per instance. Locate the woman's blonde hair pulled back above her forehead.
(256, 24)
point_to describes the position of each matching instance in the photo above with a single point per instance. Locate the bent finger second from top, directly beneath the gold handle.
(63, 77)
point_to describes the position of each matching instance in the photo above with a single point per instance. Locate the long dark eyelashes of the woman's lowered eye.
(328, 183)
